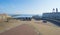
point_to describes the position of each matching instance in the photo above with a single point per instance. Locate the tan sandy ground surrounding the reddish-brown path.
(39, 26)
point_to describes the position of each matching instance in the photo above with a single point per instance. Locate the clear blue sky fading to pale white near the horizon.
(28, 6)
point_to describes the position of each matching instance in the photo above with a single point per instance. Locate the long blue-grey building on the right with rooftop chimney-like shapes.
(53, 15)
